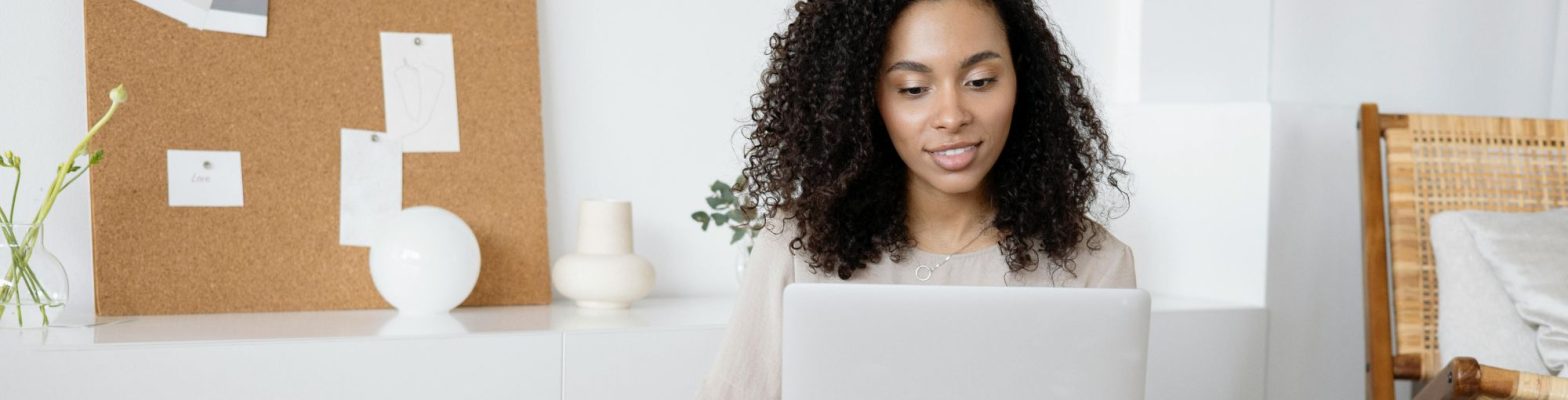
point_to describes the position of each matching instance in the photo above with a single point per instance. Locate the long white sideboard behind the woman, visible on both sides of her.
(661, 349)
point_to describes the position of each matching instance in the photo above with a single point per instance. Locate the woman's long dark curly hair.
(821, 156)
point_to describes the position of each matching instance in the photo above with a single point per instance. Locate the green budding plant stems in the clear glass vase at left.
(20, 278)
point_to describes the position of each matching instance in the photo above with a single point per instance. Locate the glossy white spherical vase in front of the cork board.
(426, 261)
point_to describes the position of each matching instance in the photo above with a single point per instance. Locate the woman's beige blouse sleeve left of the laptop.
(750, 360)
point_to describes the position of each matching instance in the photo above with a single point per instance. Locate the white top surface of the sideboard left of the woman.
(369, 325)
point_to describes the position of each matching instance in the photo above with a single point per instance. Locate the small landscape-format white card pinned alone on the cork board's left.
(206, 180)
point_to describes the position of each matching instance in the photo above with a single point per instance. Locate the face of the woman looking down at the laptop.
(946, 93)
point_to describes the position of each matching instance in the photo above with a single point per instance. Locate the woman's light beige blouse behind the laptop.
(750, 360)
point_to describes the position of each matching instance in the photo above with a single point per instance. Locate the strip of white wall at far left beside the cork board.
(43, 115)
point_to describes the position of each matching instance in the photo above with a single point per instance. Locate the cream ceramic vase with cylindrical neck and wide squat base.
(604, 274)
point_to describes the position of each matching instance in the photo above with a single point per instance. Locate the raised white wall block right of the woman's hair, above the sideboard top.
(1199, 222)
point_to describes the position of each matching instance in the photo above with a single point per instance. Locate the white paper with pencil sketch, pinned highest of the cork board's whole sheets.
(419, 84)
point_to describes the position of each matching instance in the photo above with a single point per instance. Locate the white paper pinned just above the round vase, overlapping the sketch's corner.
(372, 186)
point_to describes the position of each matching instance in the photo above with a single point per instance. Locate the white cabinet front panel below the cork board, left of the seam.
(501, 366)
